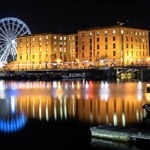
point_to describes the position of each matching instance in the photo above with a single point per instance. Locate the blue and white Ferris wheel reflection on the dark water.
(10, 119)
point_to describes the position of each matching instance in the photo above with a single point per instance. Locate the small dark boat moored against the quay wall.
(73, 75)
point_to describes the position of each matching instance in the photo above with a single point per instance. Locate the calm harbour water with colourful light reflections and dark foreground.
(58, 114)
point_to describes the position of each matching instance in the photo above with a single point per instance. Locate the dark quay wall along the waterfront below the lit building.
(104, 73)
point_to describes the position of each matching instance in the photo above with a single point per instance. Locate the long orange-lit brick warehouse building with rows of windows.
(103, 46)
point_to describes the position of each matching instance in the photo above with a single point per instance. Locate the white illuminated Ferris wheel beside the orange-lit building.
(10, 28)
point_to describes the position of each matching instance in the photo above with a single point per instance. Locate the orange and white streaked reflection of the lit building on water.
(92, 102)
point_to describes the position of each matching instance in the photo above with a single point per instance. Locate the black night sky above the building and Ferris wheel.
(68, 15)
